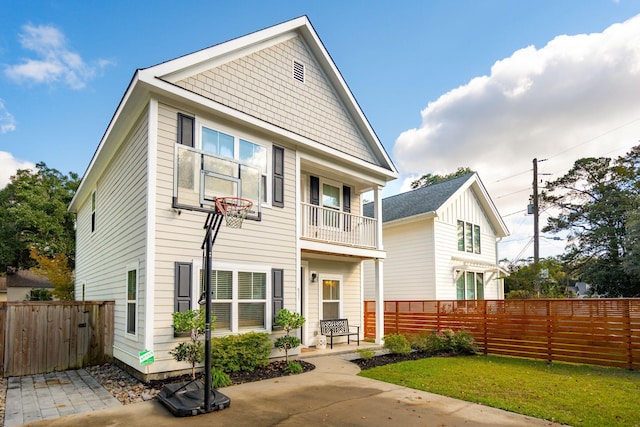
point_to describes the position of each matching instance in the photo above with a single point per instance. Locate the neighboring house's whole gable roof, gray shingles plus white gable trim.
(431, 198)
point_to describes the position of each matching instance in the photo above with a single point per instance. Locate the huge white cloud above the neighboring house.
(575, 97)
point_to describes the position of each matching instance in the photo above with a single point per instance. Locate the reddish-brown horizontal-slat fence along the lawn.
(594, 331)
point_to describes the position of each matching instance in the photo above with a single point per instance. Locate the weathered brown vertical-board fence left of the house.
(38, 337)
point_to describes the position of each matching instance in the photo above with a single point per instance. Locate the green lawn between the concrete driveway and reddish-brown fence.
(578, 395)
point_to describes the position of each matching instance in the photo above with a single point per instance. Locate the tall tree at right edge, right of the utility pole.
(594, 201)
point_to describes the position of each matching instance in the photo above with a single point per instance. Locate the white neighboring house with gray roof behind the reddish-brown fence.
(441, 243)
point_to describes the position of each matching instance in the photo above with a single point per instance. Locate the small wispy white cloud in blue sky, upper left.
(54, 61)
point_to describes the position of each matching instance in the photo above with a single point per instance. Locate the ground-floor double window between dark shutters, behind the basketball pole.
(238, 298)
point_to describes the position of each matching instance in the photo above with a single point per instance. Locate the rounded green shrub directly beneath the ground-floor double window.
(243, 352)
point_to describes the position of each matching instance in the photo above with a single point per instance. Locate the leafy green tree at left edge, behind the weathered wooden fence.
(33, 213)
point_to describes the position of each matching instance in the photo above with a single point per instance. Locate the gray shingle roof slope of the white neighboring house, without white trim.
(419, 201)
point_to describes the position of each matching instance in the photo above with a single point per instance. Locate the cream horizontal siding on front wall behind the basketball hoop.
(269, 242)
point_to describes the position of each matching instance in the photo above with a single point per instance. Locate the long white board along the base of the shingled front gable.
(178, 93)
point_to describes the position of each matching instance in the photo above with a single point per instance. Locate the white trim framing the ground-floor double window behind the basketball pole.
(235, 268)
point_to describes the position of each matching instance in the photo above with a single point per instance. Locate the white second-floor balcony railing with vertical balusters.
(333, 226)
